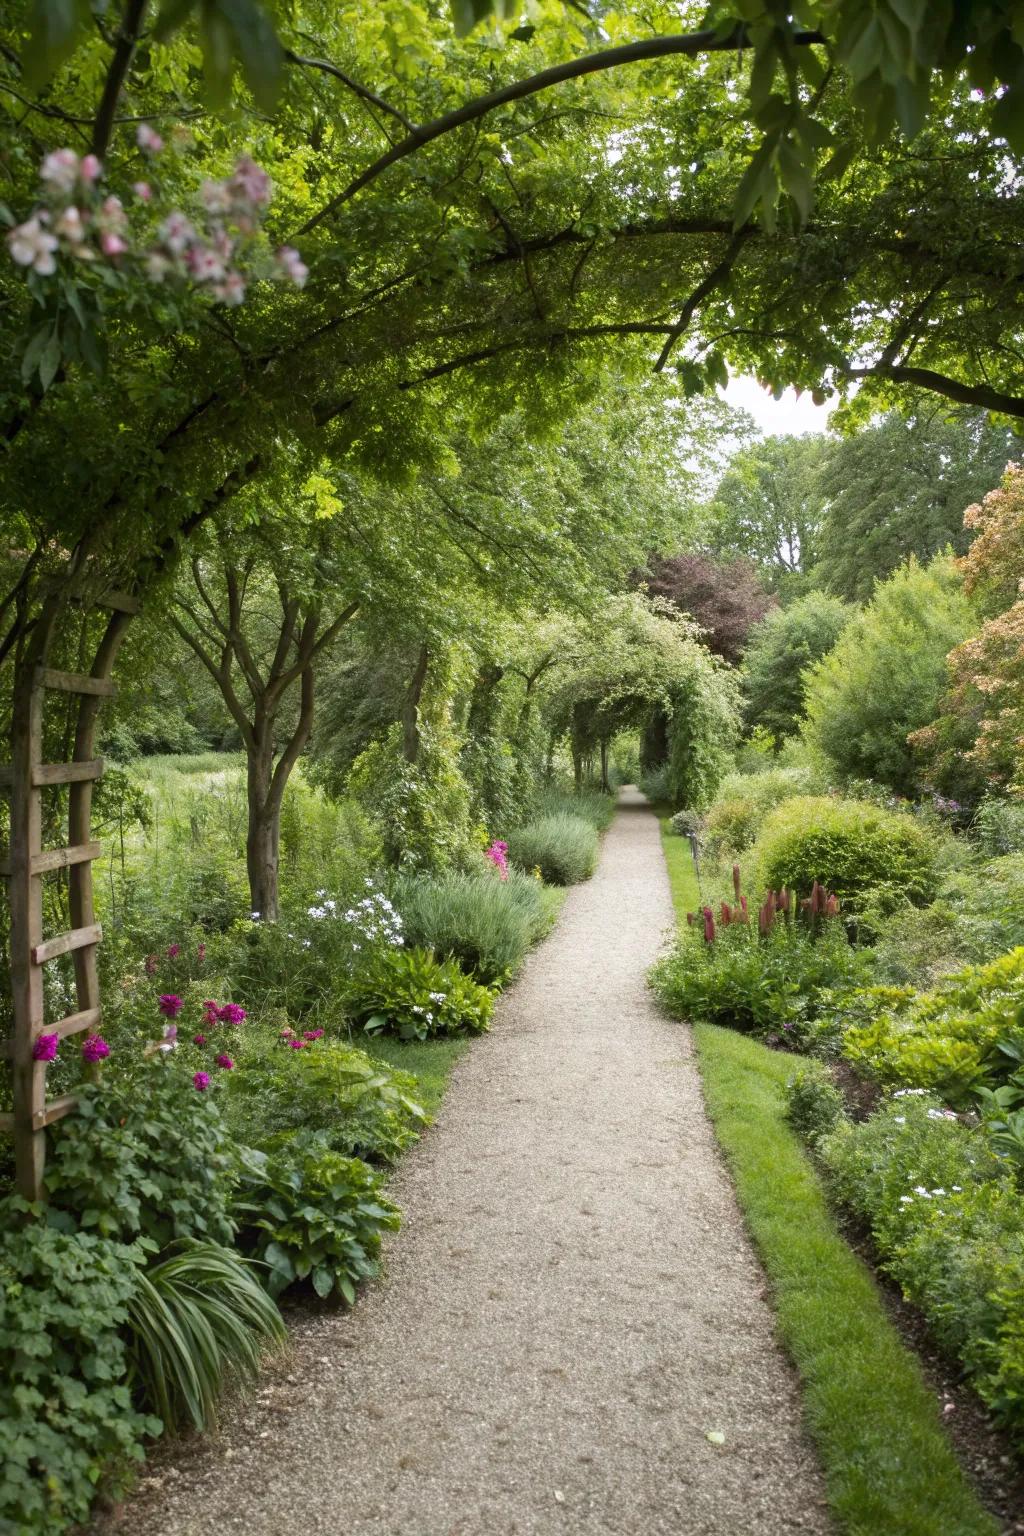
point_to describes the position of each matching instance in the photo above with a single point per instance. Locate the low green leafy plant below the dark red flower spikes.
(779, 985)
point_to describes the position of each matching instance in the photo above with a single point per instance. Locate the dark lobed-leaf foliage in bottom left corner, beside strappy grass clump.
(67, 1414)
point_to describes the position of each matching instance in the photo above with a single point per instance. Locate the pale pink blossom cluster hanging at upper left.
(76, 222)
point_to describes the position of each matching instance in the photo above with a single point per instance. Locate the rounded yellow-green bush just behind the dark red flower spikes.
(867, 856)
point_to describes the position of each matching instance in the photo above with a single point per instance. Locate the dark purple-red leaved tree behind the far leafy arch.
(725, 600)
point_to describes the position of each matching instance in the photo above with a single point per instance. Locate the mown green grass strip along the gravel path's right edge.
(888, 1463)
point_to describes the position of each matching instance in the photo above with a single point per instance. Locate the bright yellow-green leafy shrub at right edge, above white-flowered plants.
(948, 1039)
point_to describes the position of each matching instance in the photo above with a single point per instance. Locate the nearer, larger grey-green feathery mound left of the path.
(483, 922)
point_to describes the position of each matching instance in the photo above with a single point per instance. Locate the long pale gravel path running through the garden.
(572, 1306)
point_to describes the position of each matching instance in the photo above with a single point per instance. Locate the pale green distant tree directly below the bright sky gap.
(768, 508)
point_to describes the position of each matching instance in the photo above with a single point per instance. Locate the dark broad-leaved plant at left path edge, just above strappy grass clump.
(311, 1214)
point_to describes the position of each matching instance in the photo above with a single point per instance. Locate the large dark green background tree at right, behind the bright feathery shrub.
(900, 488)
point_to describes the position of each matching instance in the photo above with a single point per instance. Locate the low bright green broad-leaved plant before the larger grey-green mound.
(412, 995)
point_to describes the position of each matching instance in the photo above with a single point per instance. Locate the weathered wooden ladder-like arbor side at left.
(27, 776)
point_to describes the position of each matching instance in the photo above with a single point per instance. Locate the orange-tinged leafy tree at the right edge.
(977, 741)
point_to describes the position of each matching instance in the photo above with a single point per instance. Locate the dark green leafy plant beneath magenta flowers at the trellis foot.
(148, 1156)
